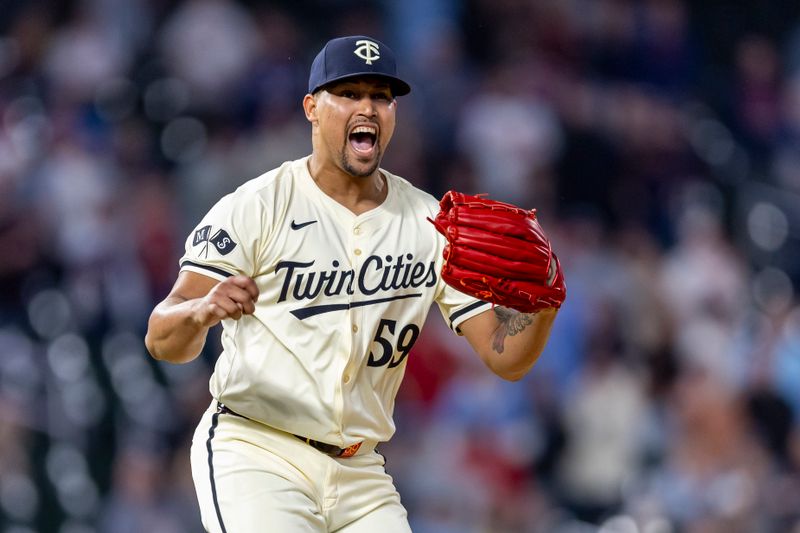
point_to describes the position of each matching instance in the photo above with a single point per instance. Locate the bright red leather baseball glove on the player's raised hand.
(499, 253)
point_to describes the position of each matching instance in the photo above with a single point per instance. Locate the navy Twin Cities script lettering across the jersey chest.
(376, 274)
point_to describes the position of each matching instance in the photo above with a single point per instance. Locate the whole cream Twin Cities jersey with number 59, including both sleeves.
(342, 300)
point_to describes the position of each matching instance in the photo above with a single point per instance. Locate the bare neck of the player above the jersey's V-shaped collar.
(357, 193)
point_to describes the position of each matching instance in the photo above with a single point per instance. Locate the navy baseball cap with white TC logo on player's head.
(356, 55)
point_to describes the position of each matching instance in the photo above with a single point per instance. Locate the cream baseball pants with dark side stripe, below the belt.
(252, 478)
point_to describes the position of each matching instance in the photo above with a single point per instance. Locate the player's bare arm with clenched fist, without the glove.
(178, 326)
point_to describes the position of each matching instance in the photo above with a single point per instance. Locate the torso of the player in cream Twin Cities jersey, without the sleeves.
(342, 300)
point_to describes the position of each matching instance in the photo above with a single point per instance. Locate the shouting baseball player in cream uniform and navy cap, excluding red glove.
(322, 272)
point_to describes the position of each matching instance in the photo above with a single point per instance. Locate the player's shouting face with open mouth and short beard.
(356, 121)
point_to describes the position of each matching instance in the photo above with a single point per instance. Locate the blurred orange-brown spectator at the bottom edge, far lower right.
(712, 465)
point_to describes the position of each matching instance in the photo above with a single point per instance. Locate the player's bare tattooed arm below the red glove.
(509, 342)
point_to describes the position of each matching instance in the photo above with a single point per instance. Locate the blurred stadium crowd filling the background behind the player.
(659, 141)
